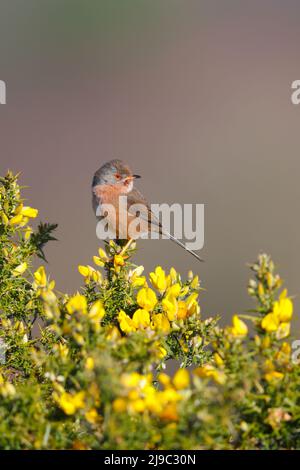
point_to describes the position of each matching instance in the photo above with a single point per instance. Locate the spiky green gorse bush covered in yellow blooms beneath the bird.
(86, 371)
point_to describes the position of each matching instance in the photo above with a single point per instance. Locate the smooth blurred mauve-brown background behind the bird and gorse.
(194, 95)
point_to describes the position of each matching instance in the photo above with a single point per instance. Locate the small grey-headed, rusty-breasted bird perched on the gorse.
(115, 179)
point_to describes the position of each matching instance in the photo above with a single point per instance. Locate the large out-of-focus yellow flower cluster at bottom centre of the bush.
(140, 395)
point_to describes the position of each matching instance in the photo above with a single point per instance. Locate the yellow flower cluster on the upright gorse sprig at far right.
(279, 319)
